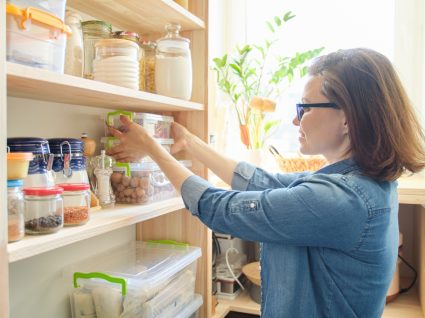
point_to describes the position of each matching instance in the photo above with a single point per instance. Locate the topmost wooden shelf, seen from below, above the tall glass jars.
(141, 16)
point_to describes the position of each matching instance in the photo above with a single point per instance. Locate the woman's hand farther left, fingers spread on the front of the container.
(135, 142)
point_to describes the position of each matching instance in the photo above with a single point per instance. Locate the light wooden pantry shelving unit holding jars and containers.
(161, 220)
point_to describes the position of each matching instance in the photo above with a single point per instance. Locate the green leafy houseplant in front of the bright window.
(252, 85)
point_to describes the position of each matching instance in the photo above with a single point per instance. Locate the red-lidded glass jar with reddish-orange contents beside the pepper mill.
(76, 203)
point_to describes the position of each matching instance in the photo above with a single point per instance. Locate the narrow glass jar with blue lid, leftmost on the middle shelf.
(15, 208)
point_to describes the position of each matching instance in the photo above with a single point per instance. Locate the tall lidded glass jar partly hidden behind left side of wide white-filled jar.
(93, 31)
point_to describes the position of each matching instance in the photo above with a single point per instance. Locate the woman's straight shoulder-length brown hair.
(386, 136)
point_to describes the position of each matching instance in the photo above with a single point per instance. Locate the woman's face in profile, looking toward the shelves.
(322, 130)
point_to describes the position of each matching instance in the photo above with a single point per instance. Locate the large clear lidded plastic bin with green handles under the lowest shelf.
(131, 280)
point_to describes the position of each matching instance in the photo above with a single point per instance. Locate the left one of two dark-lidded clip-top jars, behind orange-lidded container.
(39, 170)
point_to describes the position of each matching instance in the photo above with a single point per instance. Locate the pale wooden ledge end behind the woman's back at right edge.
(411, 190)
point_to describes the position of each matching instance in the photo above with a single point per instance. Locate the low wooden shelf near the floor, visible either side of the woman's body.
(406, 305)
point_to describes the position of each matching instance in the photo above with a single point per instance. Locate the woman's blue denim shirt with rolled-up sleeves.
(329, 238)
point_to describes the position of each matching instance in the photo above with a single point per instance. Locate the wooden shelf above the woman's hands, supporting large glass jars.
(34, 83)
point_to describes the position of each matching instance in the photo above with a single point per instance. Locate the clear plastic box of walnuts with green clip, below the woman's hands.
(140, 183)
